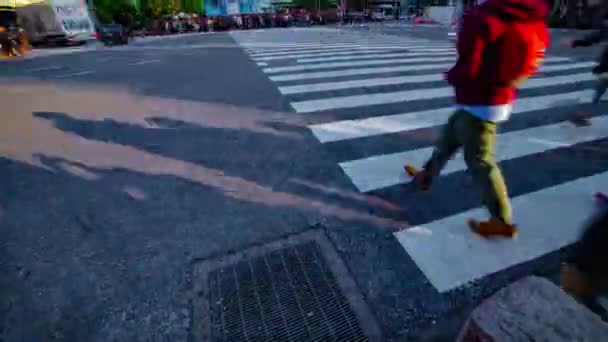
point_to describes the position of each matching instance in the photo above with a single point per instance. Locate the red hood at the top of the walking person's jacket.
(518, 10)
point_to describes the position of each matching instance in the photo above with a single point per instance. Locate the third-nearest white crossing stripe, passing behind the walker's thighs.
(353, 129)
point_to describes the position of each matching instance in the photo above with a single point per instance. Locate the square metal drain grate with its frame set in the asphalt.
(291, 290)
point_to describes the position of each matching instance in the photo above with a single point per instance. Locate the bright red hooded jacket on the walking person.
(500, 44)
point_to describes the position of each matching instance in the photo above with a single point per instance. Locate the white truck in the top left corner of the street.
(56, 21)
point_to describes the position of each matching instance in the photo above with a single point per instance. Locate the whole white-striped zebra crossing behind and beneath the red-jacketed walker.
(386, 91)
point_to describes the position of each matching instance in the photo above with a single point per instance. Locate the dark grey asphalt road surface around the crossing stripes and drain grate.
(123, 169)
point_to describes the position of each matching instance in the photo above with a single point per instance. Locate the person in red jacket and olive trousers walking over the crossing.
(500, 44)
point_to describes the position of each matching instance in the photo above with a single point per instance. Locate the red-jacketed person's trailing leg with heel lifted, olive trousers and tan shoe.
(445, 148)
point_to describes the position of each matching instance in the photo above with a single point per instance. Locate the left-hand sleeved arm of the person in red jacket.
(469, 45)
